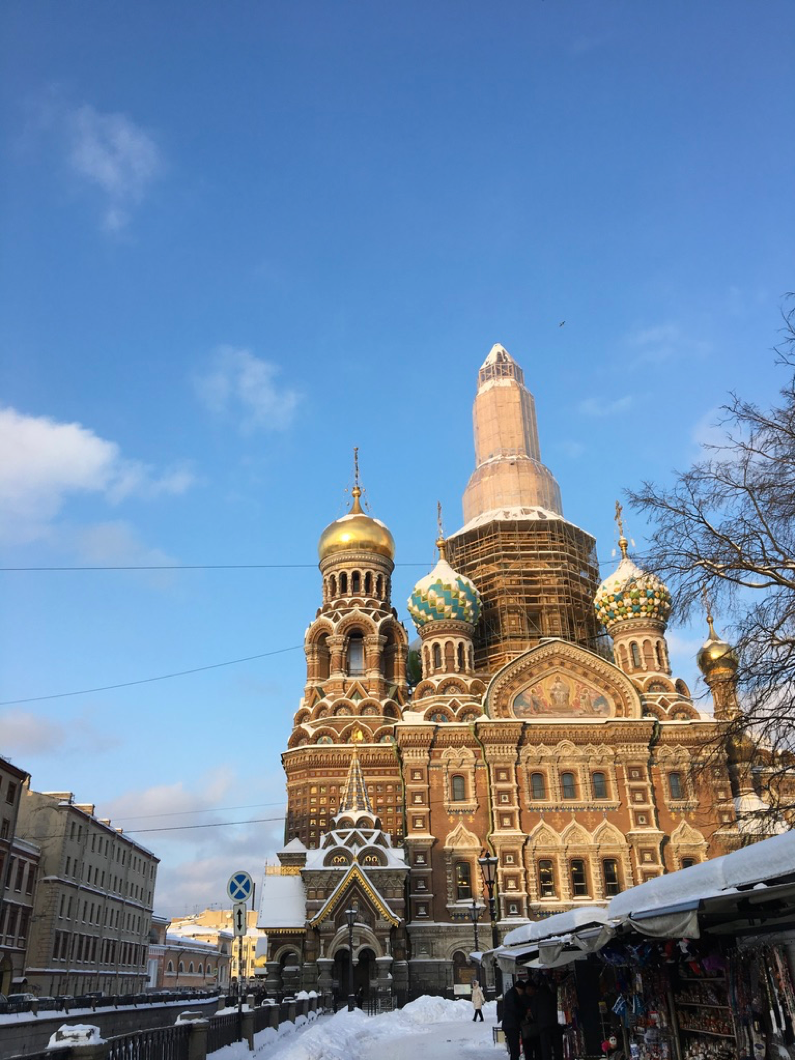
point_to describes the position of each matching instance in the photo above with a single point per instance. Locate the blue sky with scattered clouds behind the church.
(242, 239)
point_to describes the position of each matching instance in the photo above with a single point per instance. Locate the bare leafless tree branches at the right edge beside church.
(727, 528)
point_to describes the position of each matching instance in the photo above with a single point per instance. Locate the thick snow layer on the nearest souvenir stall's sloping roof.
(758, 863)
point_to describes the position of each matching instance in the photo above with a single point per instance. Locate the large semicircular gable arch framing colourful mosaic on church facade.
(560, 680)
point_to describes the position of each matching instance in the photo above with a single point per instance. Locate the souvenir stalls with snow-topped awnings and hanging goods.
(697, 965)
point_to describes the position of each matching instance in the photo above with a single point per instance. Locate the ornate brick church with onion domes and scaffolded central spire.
(531, 752)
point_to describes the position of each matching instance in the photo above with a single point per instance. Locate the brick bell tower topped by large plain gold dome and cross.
(357, 686)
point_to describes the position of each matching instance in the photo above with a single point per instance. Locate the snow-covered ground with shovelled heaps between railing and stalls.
(431, 1029)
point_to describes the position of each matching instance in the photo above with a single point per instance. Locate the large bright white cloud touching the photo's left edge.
(46, 463)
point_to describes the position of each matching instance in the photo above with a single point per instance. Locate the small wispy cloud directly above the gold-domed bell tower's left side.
(240, 386)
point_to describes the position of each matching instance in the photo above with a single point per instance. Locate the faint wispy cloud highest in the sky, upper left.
(115, 155)
